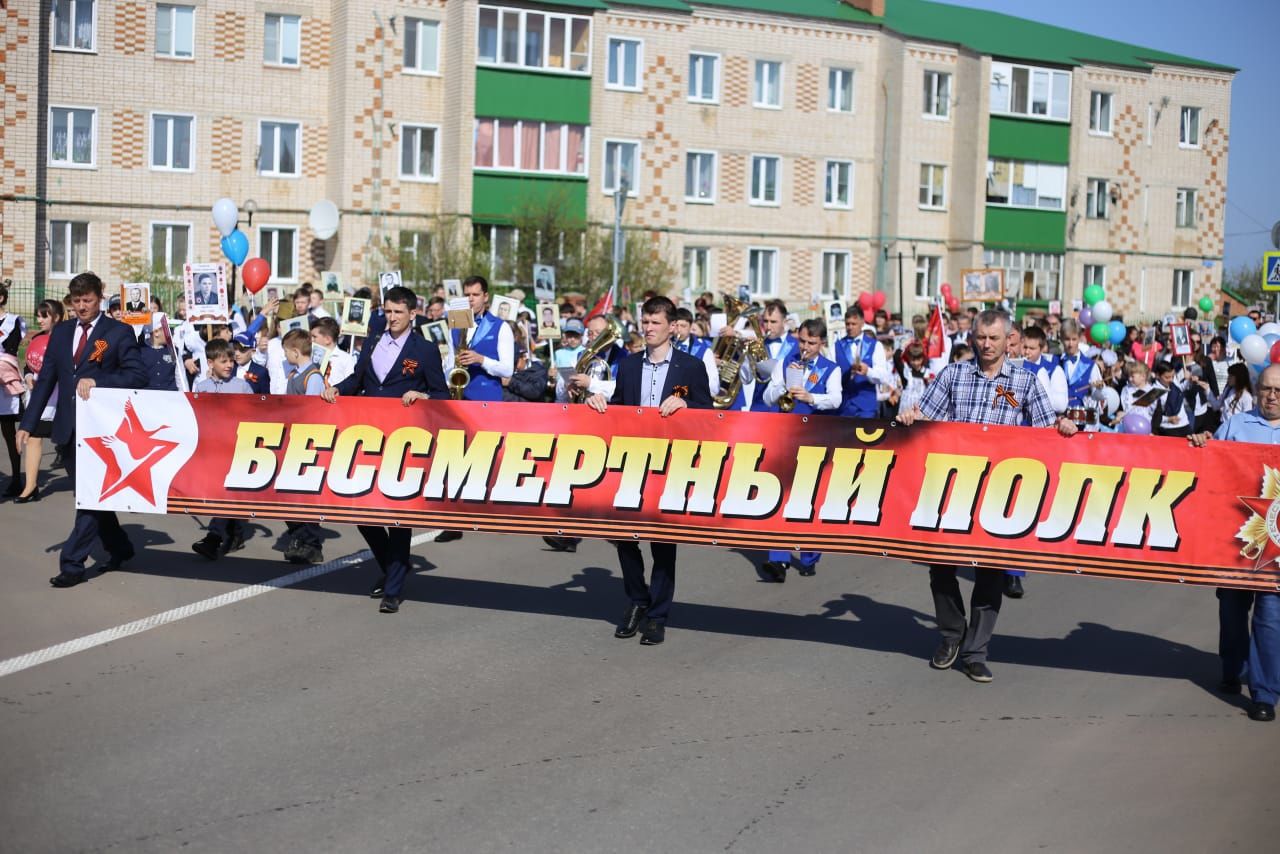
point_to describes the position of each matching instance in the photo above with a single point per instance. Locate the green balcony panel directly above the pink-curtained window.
(527, 95)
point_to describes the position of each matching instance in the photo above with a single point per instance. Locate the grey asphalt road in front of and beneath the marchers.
(497, 713)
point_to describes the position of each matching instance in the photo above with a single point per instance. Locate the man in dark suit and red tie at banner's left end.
(88, 351)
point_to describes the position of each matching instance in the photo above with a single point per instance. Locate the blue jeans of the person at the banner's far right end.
(1251, 656)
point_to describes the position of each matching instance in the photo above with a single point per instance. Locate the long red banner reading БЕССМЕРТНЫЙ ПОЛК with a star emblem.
(1104, 505)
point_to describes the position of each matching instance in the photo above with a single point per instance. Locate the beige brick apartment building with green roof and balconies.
(798, 147)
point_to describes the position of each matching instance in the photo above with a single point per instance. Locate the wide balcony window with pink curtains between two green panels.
(515, 145)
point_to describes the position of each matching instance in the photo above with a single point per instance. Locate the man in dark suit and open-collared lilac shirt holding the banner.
(394, 364)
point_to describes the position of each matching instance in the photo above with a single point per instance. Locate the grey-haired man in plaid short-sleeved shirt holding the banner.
(985, 391)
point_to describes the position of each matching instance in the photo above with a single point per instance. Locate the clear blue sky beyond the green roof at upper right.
(1242, 34)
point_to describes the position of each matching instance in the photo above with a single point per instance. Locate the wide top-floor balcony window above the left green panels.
(534, 40)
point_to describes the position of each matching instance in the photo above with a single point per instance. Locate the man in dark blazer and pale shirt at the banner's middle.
(671, 381)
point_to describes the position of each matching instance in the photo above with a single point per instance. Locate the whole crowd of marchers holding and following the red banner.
(972, 366)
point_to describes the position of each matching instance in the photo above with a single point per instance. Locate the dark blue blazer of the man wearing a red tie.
(120, 367)
